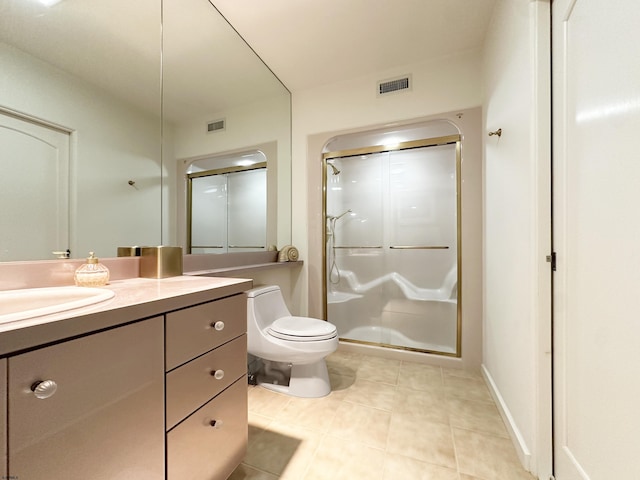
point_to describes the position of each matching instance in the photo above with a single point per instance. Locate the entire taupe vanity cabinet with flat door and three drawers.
(156, 393)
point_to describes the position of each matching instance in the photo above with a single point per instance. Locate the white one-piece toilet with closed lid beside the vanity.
(291, 348)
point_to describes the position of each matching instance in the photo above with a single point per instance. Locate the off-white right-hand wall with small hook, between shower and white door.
(517, 225)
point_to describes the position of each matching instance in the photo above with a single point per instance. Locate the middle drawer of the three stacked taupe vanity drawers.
(192, 385)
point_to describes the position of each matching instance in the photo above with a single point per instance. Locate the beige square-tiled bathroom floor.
(384, 420)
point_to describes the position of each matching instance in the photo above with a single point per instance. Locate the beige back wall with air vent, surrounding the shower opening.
(439, 88)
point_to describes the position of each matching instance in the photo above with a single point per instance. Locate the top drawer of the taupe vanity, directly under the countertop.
(196, 330)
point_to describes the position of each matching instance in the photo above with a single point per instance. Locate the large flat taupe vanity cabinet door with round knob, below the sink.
(104, 421)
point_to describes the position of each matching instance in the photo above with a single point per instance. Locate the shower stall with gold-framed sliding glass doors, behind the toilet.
(392, 244)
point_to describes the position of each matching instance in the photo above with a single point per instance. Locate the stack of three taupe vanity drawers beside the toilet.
(206, 389)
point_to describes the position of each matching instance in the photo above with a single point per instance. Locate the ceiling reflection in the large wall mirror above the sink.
(118, 45)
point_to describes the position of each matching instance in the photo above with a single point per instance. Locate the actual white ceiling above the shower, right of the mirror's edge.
(313, 42)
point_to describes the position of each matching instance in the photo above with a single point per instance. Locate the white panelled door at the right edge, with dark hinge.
(596, 71)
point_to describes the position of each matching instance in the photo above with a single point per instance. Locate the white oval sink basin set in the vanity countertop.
(34, 302)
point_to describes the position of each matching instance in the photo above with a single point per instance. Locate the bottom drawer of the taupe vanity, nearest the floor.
(197, 450)
